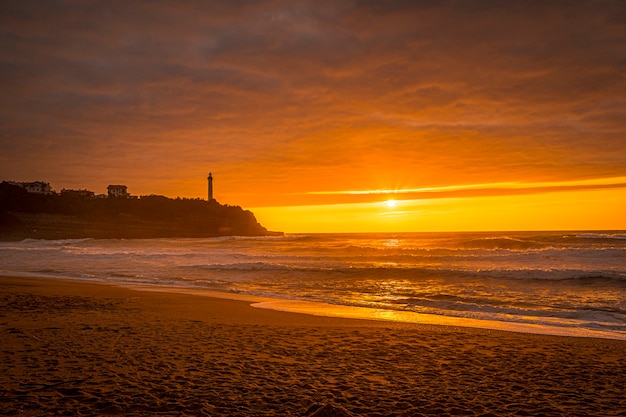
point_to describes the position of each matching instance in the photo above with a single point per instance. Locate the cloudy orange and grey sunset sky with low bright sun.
(470, 115)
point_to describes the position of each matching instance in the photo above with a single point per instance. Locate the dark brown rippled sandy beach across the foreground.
(70, 348)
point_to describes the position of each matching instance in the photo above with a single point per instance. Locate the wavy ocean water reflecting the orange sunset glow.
(571, 283)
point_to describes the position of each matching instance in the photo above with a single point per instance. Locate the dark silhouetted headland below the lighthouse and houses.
(26, 215)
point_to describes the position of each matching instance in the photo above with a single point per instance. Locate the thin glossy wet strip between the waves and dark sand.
(323, 309)
